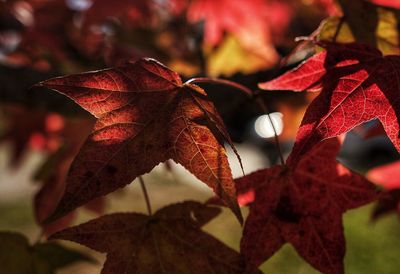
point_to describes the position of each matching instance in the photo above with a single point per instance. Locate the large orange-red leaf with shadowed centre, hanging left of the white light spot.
(146, 115)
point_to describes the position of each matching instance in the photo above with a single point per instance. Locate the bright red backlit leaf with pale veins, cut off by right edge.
(358, 84)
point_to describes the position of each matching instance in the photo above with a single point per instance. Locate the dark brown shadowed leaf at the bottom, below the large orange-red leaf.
(138, 243)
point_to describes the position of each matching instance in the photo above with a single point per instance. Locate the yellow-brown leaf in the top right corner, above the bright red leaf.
(363, 22)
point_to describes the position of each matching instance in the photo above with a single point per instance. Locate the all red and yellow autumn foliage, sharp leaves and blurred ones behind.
(145, 114)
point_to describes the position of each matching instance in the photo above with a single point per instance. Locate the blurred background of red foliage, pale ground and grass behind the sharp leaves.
(243, 41)
